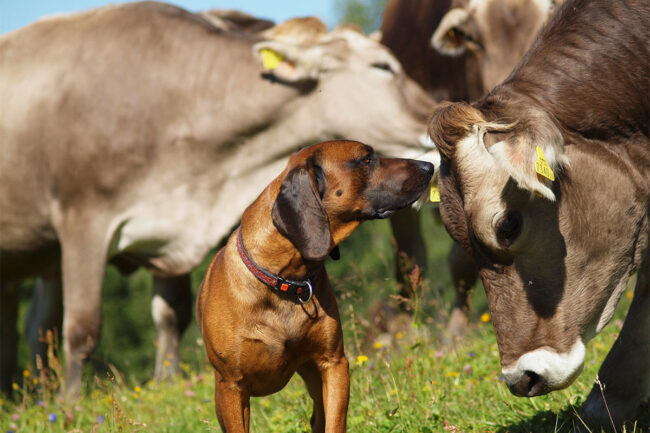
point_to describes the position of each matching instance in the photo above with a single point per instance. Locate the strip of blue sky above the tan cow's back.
(17, 13)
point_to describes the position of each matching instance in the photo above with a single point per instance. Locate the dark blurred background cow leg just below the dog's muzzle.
(406, 229)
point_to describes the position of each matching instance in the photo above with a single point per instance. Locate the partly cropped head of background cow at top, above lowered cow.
(496, 33)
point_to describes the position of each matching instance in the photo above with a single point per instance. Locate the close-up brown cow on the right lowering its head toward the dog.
(555, 255)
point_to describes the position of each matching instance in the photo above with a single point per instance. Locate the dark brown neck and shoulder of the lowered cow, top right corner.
(590, 69)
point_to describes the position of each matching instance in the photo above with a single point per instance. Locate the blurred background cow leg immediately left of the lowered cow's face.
(464, 274)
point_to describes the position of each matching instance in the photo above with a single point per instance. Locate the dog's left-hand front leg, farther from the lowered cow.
(232, 405)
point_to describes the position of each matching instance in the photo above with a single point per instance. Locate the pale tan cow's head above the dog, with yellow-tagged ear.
(344, 73)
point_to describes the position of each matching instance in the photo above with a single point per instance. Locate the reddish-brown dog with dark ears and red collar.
(266, 308)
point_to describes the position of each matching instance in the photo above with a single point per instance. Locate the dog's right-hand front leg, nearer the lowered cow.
(336, 393)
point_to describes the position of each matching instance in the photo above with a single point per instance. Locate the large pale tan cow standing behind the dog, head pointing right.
(142, 131)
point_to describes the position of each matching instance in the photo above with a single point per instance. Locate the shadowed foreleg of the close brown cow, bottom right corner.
(625, 373)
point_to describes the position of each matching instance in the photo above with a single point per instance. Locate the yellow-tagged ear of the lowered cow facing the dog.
(532, 154)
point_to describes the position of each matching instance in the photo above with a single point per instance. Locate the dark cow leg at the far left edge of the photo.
(8, 334)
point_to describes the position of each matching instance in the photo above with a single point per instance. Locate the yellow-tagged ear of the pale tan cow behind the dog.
(291, 63)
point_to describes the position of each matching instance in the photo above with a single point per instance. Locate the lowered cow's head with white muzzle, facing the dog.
(554, 256)
